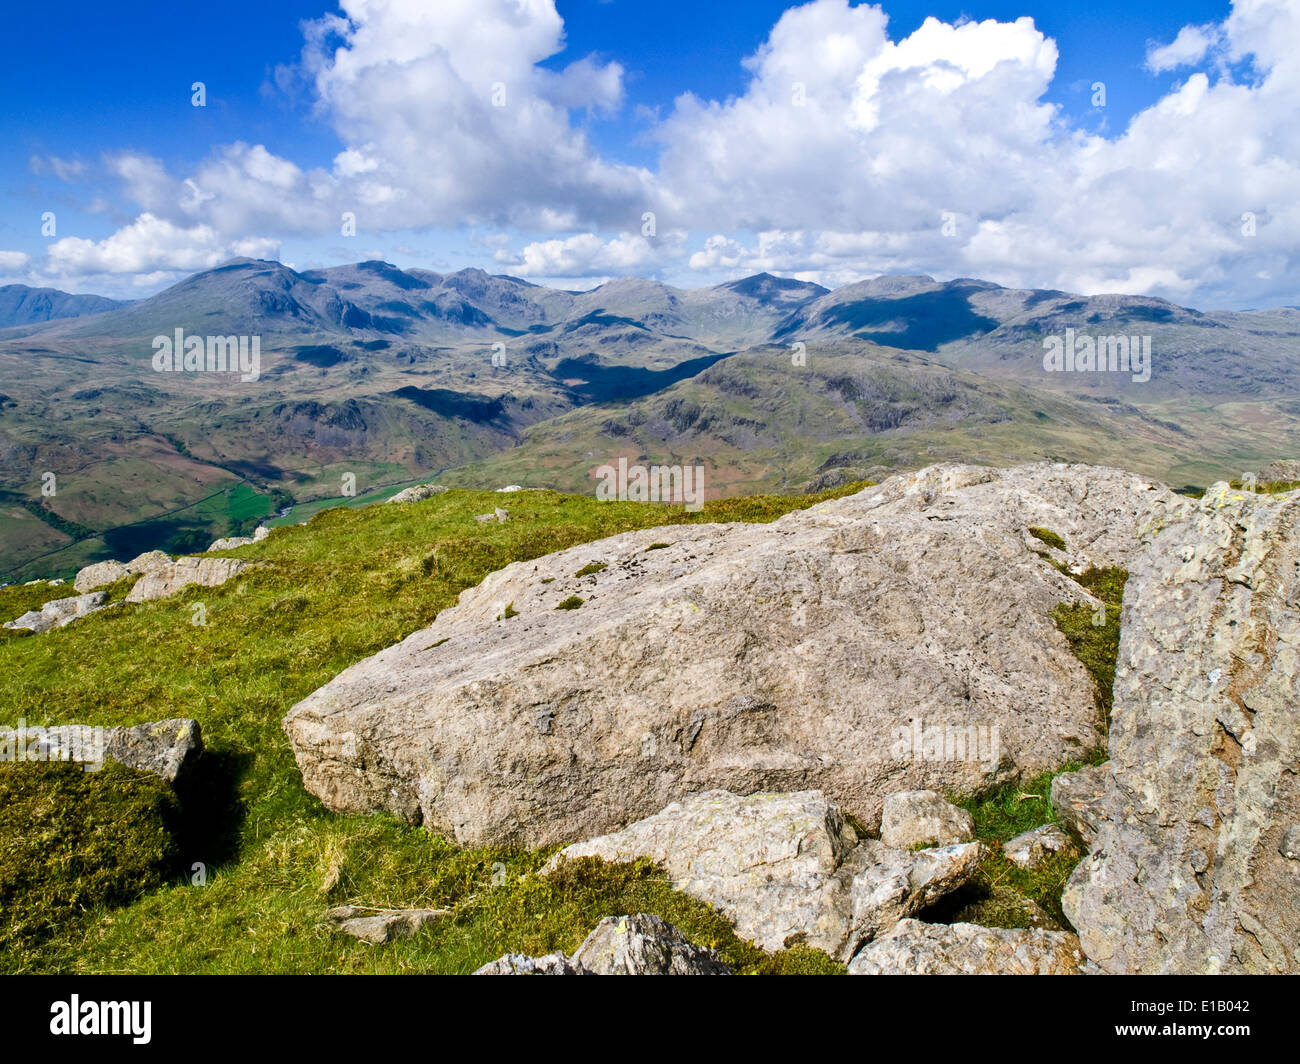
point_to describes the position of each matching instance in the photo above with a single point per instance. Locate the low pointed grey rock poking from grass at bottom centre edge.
(642, 945)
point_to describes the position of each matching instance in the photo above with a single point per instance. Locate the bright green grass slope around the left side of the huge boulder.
(349, 585)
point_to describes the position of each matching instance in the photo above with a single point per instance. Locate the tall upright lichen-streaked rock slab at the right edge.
(1188, 872)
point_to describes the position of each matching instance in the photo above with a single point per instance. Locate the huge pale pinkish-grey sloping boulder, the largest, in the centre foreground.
(899, 639)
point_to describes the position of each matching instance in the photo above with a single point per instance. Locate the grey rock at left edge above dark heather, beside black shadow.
(167, 749)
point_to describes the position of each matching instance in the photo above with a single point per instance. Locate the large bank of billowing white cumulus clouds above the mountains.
(848, 154)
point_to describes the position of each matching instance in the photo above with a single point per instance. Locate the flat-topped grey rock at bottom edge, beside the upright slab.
(917, 949)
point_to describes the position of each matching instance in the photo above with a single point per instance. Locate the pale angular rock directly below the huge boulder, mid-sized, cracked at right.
(786, 870)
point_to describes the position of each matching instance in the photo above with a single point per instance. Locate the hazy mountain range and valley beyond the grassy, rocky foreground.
(372, 378)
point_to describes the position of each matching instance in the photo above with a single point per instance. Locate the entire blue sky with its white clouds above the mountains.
(101, 131)
